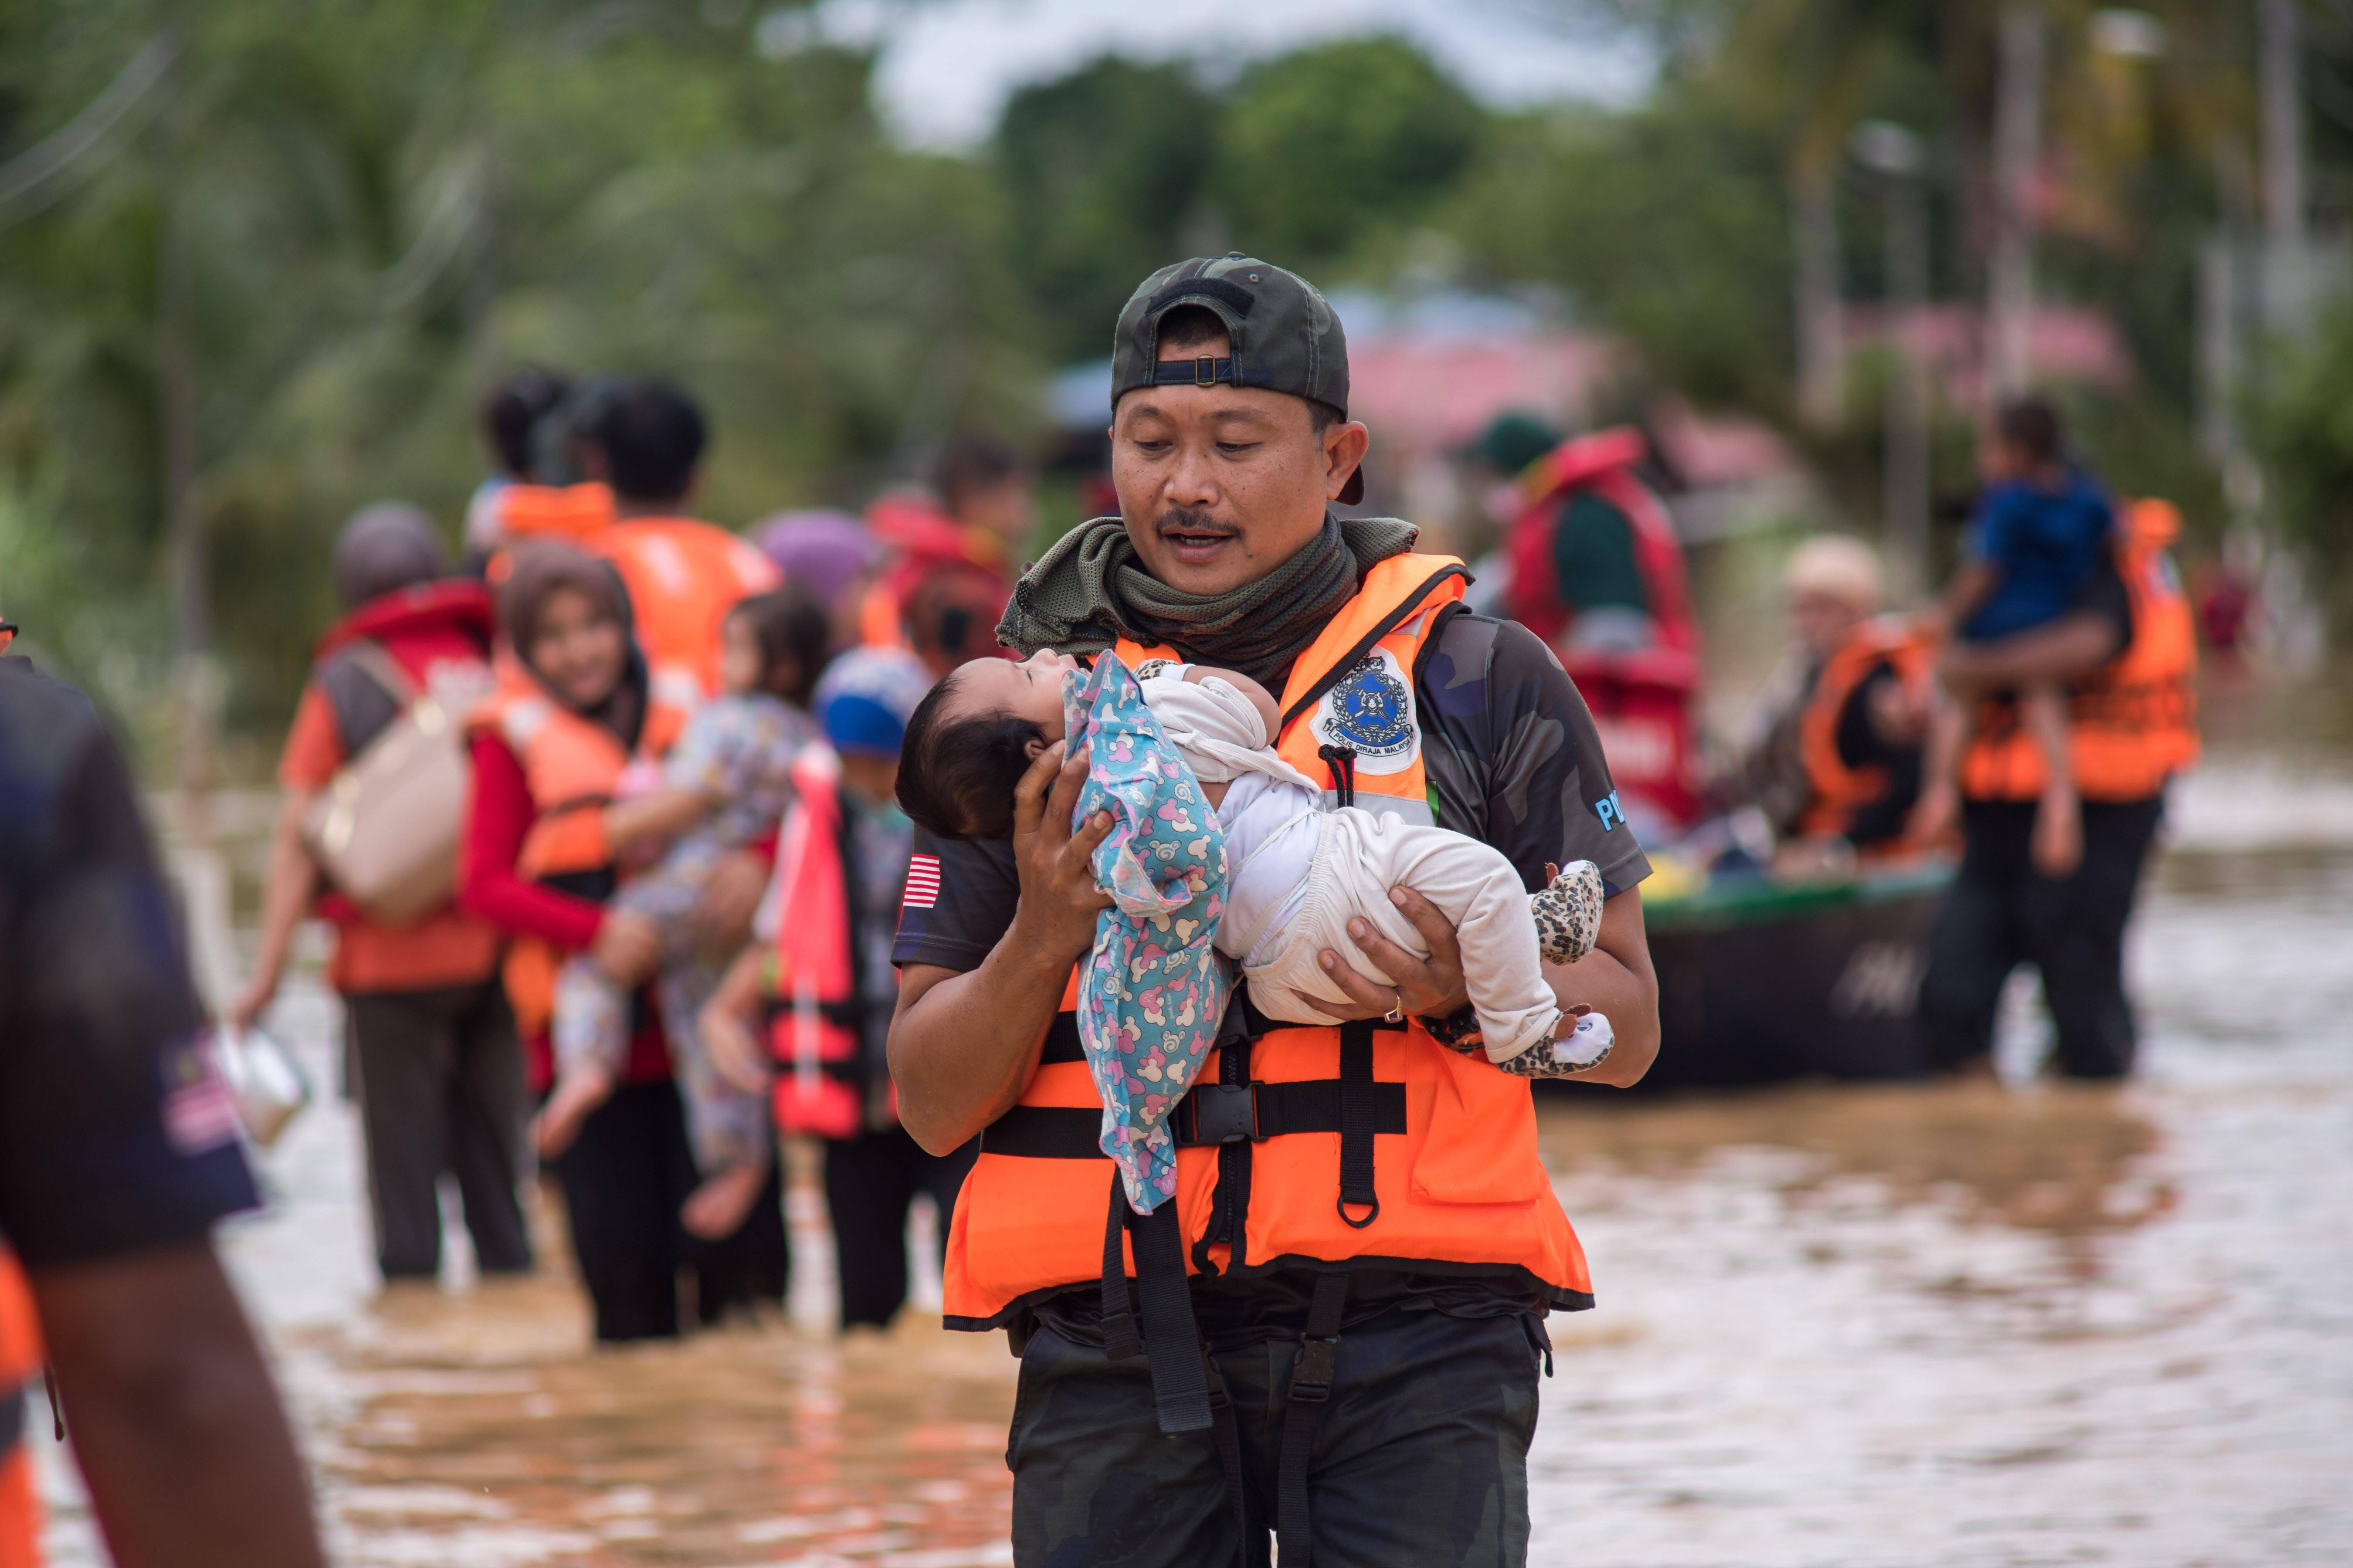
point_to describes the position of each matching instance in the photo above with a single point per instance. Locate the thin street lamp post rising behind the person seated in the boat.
(1898, 157)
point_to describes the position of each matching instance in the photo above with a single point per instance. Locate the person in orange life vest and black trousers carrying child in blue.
(2131, 653)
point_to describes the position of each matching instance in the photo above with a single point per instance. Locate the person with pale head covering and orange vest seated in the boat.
(1837, 759)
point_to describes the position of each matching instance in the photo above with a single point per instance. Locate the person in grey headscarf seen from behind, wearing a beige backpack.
(432, 1047)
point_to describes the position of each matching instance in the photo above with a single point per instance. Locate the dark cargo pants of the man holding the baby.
(1420, 1456)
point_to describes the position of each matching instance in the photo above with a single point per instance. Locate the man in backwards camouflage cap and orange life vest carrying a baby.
(1342, 1313)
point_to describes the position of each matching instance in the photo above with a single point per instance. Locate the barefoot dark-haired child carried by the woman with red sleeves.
(724, 785)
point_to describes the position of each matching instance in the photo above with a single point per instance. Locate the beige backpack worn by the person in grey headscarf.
(387, 830)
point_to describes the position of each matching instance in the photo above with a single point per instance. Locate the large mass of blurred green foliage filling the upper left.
(389, 201)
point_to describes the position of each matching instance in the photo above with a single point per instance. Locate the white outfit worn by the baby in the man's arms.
(1302, 872)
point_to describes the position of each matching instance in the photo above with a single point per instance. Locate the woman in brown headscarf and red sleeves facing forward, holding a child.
(573, 712)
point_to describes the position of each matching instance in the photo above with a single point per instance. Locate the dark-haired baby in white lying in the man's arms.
(1298, 872)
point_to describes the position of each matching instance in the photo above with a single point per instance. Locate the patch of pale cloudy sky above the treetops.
(949, 65)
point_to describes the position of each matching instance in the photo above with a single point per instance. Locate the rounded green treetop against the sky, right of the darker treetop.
(1335, 142)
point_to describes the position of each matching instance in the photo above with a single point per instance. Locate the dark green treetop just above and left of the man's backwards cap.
(1105, 180)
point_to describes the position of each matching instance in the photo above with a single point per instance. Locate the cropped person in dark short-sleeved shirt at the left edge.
(119, 1152)
